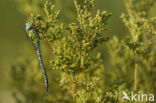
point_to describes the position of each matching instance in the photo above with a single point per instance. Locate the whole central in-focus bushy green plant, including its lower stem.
(73, 46)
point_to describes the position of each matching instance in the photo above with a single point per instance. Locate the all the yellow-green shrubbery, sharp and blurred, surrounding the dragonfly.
(77, 69)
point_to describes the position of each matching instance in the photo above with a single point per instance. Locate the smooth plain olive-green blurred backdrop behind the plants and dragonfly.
(13, 41)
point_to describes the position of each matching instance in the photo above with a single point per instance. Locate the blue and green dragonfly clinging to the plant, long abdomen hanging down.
(33, 36)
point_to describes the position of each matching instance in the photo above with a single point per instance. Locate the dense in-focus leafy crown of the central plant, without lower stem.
(72, 44)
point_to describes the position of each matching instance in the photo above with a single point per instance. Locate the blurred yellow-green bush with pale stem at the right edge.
(136, 52)
